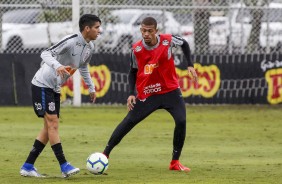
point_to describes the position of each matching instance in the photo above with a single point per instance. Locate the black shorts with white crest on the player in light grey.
(45, 100)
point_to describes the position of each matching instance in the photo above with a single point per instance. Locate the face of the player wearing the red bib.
(149, 34)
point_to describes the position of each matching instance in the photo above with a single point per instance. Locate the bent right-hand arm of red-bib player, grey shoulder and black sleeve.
(179, 41)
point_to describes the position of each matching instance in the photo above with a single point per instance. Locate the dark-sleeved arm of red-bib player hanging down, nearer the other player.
(132, 75)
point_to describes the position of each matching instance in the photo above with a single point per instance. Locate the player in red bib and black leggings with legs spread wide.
(153, 73)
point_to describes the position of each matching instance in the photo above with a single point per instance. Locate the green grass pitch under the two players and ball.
(224, 144)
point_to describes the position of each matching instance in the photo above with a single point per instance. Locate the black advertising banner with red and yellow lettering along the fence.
(223, 79)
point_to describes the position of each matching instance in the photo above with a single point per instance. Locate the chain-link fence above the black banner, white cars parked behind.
(209, 26)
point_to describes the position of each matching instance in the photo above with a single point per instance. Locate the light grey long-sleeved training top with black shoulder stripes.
(72, 51)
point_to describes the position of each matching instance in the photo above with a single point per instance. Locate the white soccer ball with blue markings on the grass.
(97, 163)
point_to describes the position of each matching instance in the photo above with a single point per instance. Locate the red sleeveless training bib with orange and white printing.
(156, 71)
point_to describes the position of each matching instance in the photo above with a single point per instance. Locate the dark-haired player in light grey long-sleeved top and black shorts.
(59, 62)
